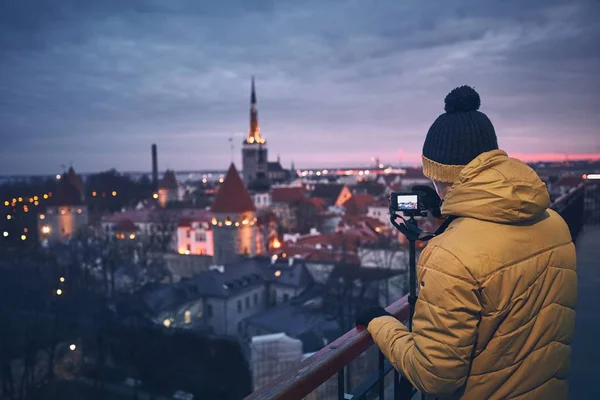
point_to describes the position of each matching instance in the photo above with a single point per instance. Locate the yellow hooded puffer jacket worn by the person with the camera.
(497, 292)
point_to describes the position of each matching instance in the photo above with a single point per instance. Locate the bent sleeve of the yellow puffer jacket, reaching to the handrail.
(436, 356)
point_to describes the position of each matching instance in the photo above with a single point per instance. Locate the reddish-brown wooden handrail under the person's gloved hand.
(317, 369)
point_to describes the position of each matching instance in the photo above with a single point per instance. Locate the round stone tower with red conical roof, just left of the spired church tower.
(234, 221)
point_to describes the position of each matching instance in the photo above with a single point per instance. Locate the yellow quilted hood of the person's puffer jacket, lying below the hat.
(494, 187)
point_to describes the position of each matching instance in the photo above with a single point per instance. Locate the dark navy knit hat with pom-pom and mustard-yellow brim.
(457, 136)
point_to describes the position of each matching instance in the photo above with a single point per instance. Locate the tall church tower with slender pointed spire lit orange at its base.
(254, 151)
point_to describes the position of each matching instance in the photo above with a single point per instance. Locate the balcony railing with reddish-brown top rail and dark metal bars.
(334, 358)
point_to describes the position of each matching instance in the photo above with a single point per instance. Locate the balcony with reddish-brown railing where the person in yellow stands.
(324, 374)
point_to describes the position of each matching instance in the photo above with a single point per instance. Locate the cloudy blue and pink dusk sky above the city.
(96, 83)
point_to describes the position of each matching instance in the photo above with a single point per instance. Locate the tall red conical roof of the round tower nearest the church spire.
(232, 197)
